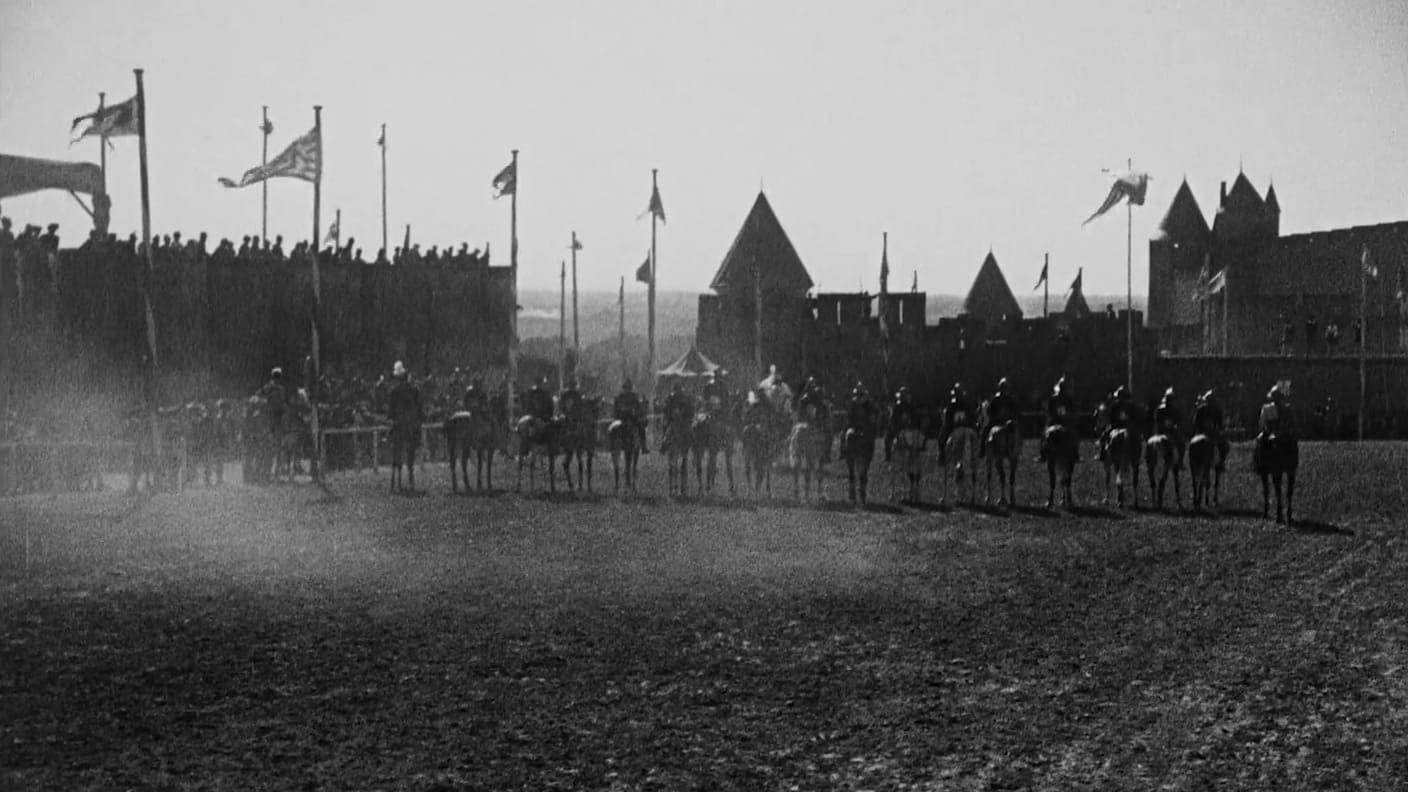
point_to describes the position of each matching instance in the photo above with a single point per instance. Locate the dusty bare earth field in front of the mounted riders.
(275, 639)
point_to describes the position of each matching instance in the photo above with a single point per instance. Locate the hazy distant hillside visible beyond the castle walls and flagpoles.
(677, 312)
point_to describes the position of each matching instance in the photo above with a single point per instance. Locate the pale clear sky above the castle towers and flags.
(957, 128)
